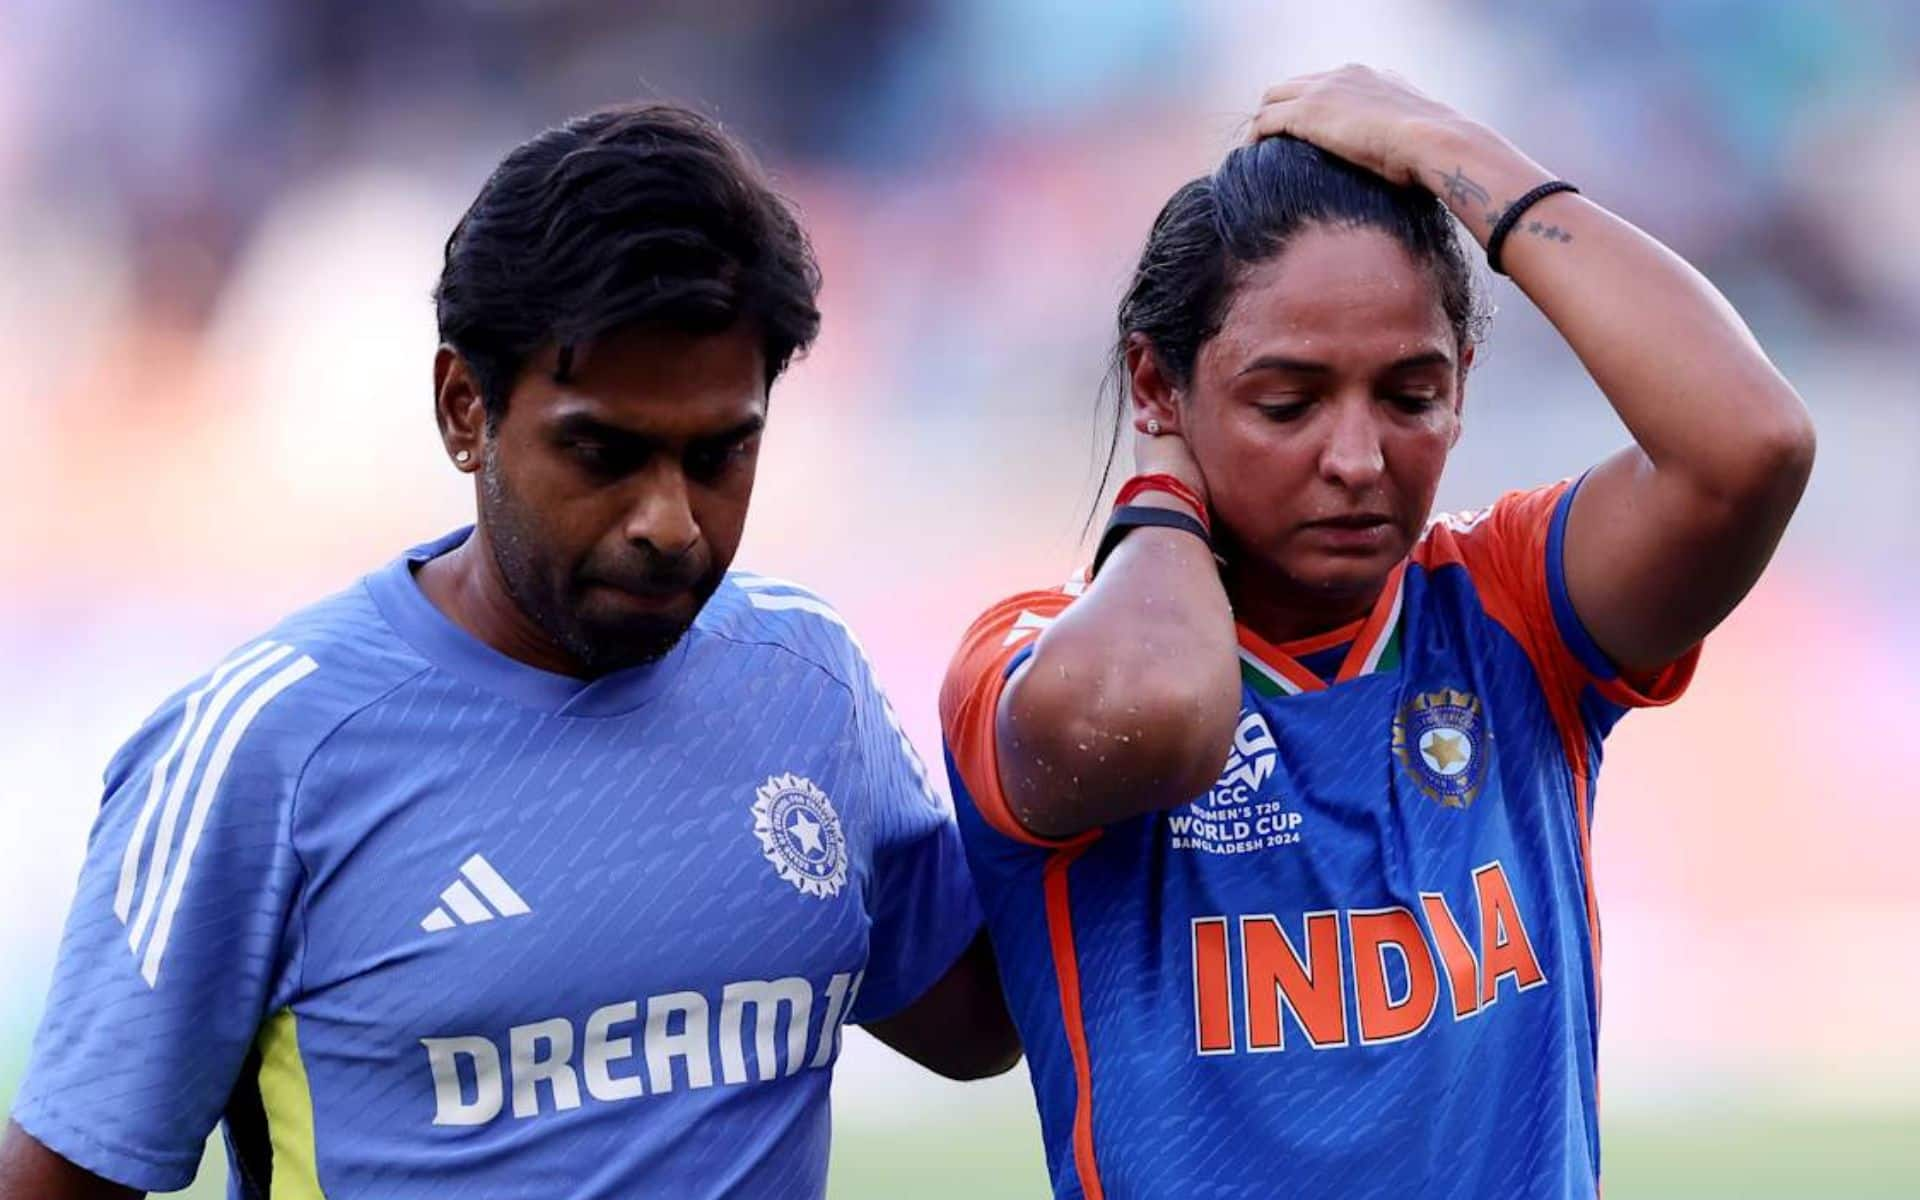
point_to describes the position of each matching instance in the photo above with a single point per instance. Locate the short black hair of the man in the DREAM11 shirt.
(635, 214)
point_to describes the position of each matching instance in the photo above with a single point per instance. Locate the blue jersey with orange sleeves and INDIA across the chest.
(1366, 961)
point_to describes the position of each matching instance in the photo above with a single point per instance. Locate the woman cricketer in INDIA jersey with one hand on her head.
(1282, 815)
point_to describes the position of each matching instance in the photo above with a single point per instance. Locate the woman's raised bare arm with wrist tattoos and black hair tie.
(1669, 535)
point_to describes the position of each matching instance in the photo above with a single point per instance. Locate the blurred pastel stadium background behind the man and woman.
(220, 226)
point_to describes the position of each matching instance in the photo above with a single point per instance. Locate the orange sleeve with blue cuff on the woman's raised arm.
(1514, 556)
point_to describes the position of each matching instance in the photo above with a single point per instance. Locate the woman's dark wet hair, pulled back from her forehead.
(1245, 214)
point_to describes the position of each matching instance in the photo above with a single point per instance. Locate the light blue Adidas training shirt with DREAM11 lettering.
(414, 917)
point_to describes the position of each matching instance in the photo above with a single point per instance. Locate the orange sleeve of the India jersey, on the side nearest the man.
(971, 704)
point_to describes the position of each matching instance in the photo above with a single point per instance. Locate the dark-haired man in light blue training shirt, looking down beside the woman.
(552, 857)
